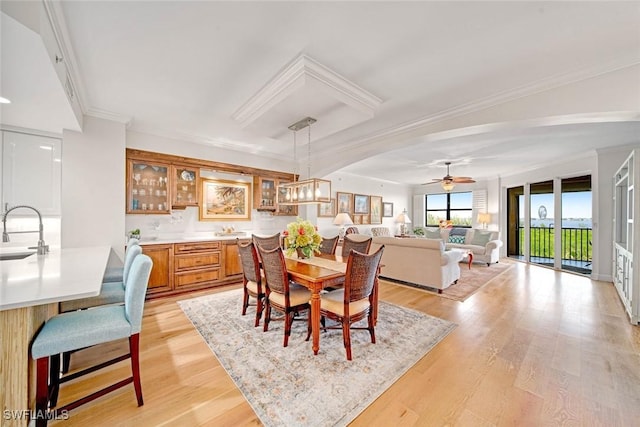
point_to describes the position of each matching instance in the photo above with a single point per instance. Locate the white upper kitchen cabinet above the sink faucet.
(31, 171)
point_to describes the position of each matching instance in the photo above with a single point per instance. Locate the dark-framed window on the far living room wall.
(456, 207)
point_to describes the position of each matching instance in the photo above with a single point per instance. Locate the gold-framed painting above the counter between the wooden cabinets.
(225, 200)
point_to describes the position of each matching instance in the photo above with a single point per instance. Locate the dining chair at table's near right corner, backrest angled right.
(356, 300)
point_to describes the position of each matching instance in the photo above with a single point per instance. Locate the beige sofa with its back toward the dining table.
(419, 261)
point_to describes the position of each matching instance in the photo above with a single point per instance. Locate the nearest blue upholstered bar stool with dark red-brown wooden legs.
(85, 328)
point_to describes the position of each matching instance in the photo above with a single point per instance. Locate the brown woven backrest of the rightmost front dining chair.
(361, 275)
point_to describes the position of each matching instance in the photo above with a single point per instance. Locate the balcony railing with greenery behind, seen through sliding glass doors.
(576, 245)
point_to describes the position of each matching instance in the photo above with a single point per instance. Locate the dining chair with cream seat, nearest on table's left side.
(288, 298)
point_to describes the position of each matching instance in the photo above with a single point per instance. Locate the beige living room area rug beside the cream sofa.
(470, 281)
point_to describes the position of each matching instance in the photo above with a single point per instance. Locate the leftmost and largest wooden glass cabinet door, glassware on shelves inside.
(147, 187)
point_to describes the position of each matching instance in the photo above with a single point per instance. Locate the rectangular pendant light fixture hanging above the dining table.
(310, 190)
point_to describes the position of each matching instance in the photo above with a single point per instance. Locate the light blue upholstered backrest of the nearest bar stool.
(136, 290)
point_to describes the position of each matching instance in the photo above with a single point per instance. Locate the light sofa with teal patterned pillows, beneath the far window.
(484, 244)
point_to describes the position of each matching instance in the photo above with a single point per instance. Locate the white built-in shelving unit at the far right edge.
(626, 235)
